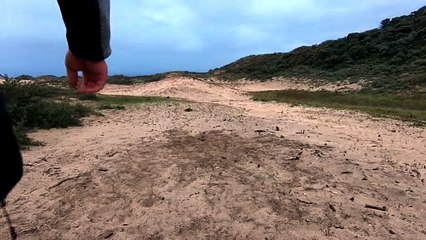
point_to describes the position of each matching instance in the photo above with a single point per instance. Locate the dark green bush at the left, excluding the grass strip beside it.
(37, 106)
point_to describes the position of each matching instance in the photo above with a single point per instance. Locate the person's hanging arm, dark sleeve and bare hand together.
(88, 36)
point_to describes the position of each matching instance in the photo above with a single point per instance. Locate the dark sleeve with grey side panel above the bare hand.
(88, 28)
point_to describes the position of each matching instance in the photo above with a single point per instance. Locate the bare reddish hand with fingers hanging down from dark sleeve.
(95, 74)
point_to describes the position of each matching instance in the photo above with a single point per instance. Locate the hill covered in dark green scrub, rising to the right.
(391, 57)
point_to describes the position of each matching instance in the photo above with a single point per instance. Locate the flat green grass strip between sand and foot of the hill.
(404, 107)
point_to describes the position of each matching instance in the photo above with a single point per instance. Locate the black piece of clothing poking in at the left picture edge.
(10, 157)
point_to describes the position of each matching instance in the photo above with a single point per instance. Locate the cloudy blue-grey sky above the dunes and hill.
(150, 36)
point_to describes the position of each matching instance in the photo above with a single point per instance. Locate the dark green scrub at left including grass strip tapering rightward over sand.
(46, 105)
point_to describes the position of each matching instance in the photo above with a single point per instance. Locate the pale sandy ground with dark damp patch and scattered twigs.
(230, 169)
